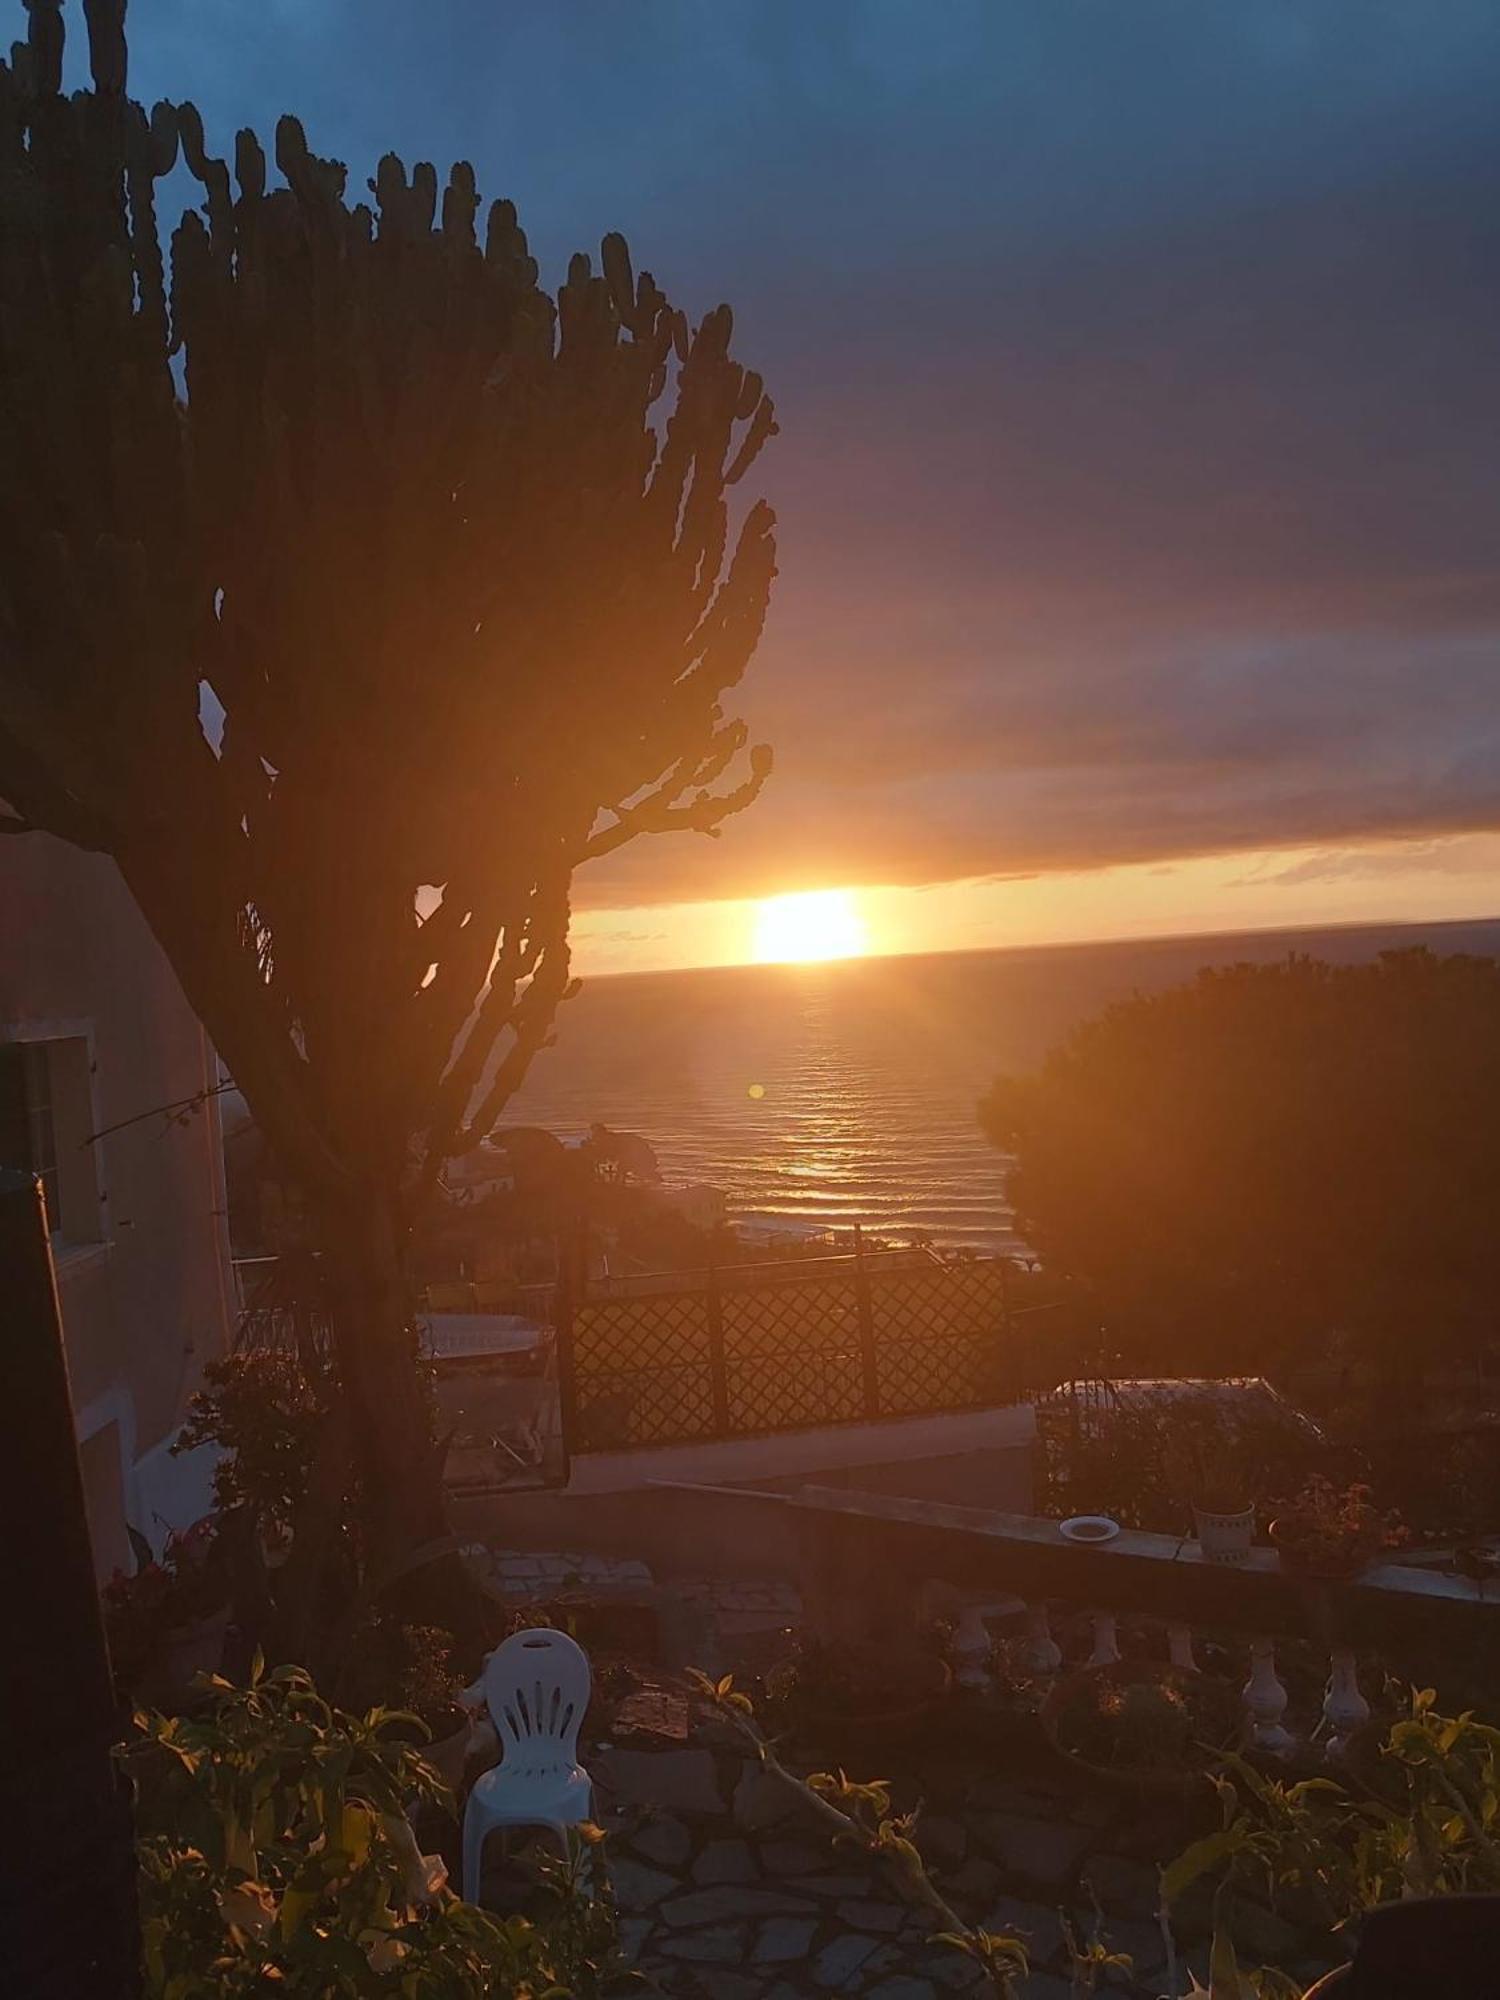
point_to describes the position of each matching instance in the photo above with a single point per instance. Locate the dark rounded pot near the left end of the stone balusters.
(849, 1699)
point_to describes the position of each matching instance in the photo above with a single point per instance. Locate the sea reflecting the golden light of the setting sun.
(819, 1097)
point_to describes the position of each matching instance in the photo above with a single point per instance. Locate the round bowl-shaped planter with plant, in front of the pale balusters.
(1139, 1725)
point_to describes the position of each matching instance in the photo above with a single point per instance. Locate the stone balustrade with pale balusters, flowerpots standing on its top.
(869, 1559)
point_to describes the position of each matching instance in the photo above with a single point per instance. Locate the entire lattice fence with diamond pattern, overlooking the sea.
(853, 1345)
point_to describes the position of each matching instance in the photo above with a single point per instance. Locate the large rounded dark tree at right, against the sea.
(1269, 1153)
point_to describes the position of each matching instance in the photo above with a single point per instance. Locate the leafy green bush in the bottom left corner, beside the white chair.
(277, 1857)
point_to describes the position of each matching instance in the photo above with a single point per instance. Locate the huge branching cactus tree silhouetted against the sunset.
(467, 615)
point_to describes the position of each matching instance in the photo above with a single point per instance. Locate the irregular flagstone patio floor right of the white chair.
(731, 1889)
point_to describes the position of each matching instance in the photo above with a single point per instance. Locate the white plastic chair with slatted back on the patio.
(537, 1691)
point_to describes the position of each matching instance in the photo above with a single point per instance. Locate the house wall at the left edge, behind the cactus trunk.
(95, 1035)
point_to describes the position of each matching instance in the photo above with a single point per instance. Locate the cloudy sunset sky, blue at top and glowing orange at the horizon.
(1139, 391)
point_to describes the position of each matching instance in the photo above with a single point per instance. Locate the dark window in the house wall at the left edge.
(43, 1095)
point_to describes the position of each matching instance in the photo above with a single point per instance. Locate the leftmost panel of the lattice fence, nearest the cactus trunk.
(643, 1371)
